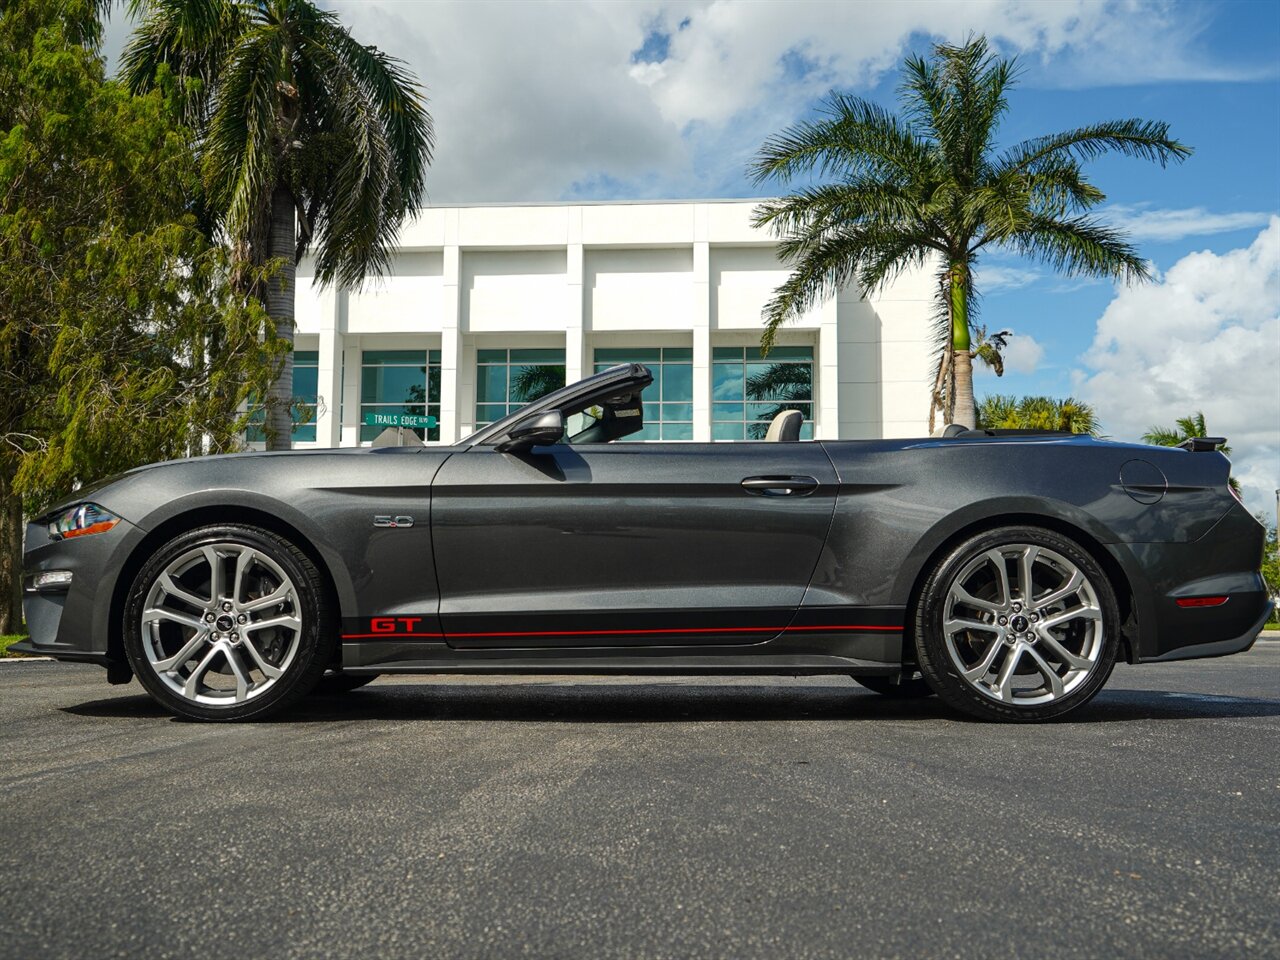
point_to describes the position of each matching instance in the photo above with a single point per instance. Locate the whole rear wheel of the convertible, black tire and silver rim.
(1017, 624)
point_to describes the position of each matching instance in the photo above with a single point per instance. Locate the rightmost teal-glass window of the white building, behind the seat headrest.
(748, 391)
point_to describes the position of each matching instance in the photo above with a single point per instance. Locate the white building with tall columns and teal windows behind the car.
(487, 307)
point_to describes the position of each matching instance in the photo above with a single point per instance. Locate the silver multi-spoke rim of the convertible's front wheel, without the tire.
(221, 624)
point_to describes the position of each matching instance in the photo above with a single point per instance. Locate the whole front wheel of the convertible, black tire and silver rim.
(228, 623)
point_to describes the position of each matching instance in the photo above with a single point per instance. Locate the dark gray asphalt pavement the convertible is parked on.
(438, 817)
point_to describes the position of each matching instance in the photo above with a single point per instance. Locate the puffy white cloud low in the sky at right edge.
(1205, 337)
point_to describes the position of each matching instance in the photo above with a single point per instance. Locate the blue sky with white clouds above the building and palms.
(651, 99)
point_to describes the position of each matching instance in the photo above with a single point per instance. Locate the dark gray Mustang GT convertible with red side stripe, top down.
(1003, 572)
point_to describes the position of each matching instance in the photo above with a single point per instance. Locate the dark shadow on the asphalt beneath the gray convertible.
(678, 703)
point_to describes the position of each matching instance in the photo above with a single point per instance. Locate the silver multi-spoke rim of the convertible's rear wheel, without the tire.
(1023, 625)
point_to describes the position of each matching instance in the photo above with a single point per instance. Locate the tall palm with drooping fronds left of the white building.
(307, 138)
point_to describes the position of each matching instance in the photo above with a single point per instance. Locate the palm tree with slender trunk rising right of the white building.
(931, 186)
